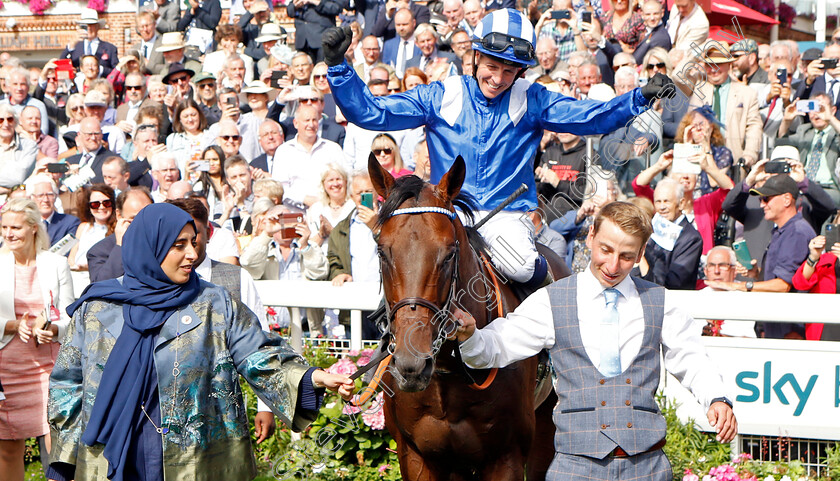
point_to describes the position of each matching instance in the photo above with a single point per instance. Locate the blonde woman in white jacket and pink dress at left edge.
(36, 285)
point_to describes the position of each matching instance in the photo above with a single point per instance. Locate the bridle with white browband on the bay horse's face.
(413, 302)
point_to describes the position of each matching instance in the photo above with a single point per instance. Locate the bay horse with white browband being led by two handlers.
(446, 429)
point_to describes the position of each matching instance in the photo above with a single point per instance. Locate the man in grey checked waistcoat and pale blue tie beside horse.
(604, 331)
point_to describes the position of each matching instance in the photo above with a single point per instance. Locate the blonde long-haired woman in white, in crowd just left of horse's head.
(333, 206)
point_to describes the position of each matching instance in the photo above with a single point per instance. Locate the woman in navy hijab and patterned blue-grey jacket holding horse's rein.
(146, 382)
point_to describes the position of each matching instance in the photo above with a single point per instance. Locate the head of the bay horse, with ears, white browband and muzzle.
(419, 254)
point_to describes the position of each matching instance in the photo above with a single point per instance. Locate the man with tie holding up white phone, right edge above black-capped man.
(818, 142)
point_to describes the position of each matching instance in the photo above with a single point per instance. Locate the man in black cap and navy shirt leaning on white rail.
(787, 250)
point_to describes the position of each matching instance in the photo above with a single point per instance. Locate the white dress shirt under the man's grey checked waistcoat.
(530, 328)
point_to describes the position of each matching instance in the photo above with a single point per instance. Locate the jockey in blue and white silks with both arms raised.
(494, 120)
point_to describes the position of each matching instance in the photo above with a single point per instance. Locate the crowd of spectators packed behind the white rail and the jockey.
(230, 111)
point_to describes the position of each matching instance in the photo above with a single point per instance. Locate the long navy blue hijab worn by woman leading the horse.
(148, 298)
